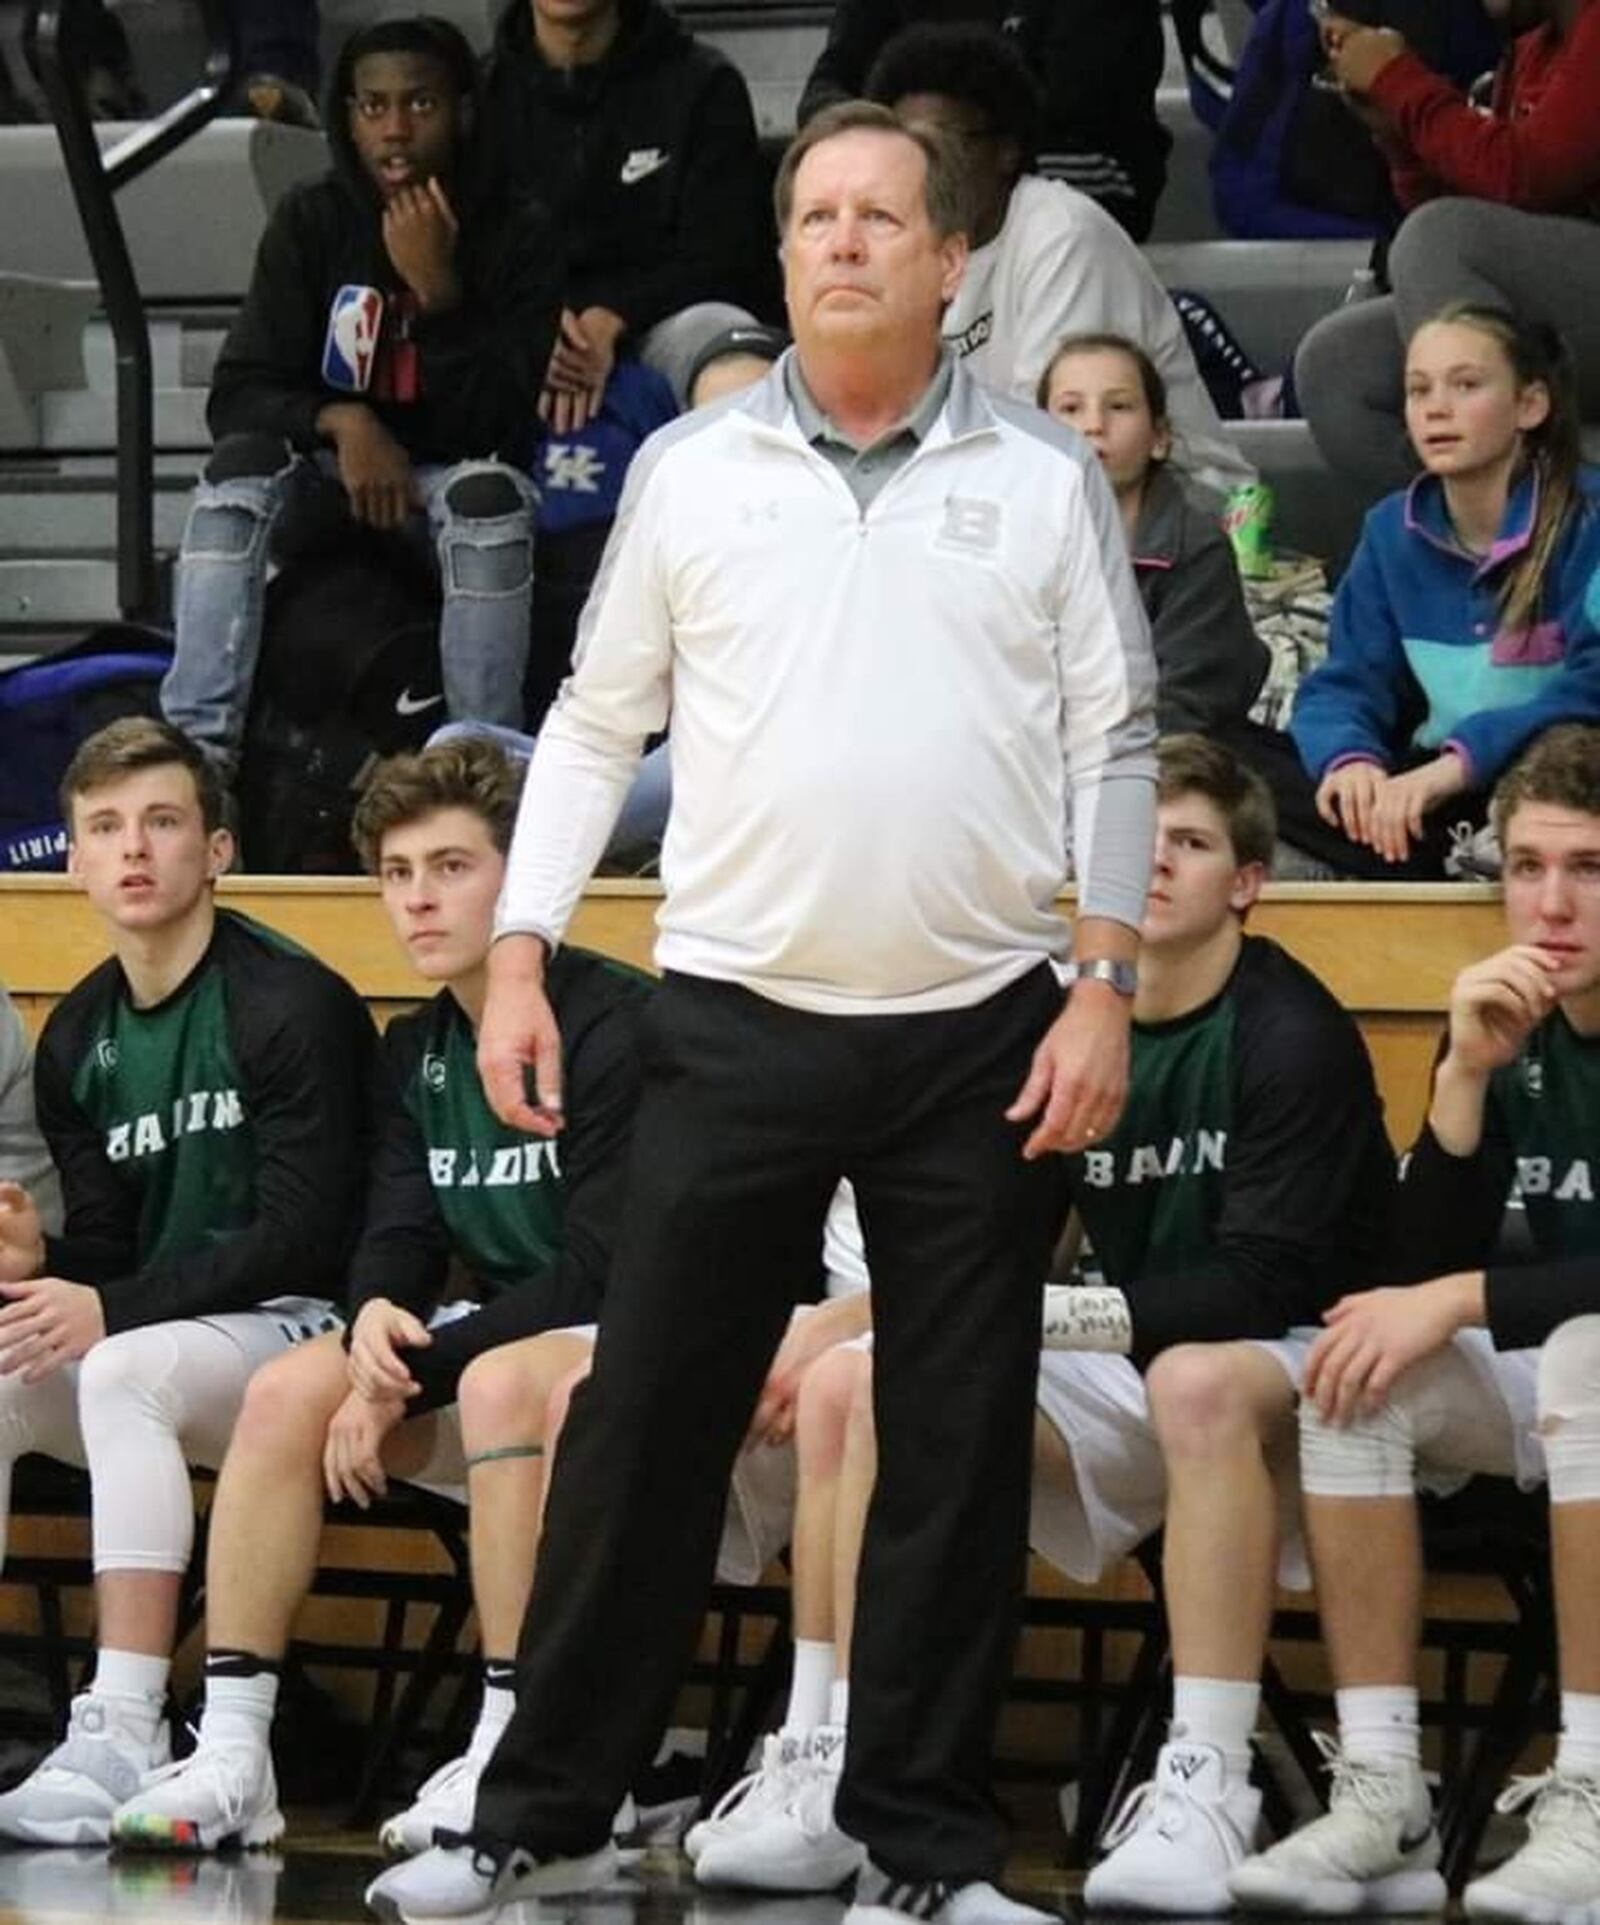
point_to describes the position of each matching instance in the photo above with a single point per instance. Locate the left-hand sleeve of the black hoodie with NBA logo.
(269, 376)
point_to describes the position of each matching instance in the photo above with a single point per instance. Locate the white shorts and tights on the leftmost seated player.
(138, 1412)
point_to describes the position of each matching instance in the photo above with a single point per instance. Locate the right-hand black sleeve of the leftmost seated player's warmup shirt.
(305, 1056)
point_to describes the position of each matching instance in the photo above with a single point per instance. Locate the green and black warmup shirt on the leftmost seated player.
(213, 1148)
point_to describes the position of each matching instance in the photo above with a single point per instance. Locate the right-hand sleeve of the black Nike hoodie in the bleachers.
(723, 238)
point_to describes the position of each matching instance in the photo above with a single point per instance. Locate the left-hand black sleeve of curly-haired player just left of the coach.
(405, 1248)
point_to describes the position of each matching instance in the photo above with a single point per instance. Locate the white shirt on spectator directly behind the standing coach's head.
(1062, 267)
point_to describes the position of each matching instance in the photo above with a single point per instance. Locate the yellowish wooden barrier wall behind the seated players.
(1389, 952)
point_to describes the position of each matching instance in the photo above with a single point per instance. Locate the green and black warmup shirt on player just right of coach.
(1249, 1181)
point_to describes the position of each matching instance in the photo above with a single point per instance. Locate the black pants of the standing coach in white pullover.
(750, 1117)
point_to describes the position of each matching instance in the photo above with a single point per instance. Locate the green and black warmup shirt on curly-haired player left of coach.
(532, 1219)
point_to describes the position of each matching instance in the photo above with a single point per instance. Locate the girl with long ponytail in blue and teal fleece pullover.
(1466, 623)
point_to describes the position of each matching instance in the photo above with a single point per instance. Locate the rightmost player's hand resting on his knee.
(1376, 1335)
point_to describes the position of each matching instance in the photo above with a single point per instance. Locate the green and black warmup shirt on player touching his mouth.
(1541, 1142)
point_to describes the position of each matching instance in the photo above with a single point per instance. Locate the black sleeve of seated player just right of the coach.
(1308, 1177)
